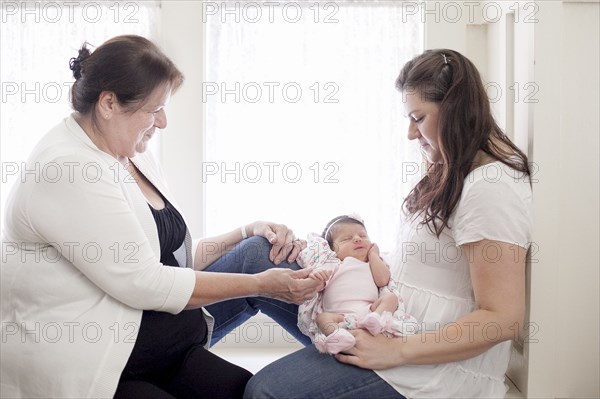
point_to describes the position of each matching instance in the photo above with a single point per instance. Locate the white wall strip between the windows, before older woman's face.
(181, 33)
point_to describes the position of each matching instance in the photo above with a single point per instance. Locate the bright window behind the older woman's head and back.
(37, 40)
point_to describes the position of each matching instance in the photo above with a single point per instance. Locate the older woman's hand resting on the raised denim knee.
(285, 244)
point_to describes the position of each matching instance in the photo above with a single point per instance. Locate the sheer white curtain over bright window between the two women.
(303, 122)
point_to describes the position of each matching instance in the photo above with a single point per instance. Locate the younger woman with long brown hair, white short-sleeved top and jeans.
(461, 263)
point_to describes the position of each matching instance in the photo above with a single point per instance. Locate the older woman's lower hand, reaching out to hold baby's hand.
(292, 286)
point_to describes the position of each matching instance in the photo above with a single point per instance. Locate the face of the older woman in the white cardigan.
(134, 130)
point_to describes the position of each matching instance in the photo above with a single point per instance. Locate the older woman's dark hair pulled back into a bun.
(130, 66)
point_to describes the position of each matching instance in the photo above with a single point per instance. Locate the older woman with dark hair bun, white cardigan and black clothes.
(102, 292)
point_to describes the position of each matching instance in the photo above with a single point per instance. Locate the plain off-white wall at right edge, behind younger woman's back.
(564, 289)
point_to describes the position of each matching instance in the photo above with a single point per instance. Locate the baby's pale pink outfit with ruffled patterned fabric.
(349, 291)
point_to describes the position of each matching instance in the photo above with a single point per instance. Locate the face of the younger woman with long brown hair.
(423, 125)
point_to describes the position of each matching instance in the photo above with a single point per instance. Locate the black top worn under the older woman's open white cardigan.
(164, 338)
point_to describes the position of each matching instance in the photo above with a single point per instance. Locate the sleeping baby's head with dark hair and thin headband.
(347, 236)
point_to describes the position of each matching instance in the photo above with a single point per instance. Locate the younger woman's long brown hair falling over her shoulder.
(466, 125)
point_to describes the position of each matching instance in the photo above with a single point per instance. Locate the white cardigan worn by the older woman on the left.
(80, 261)
